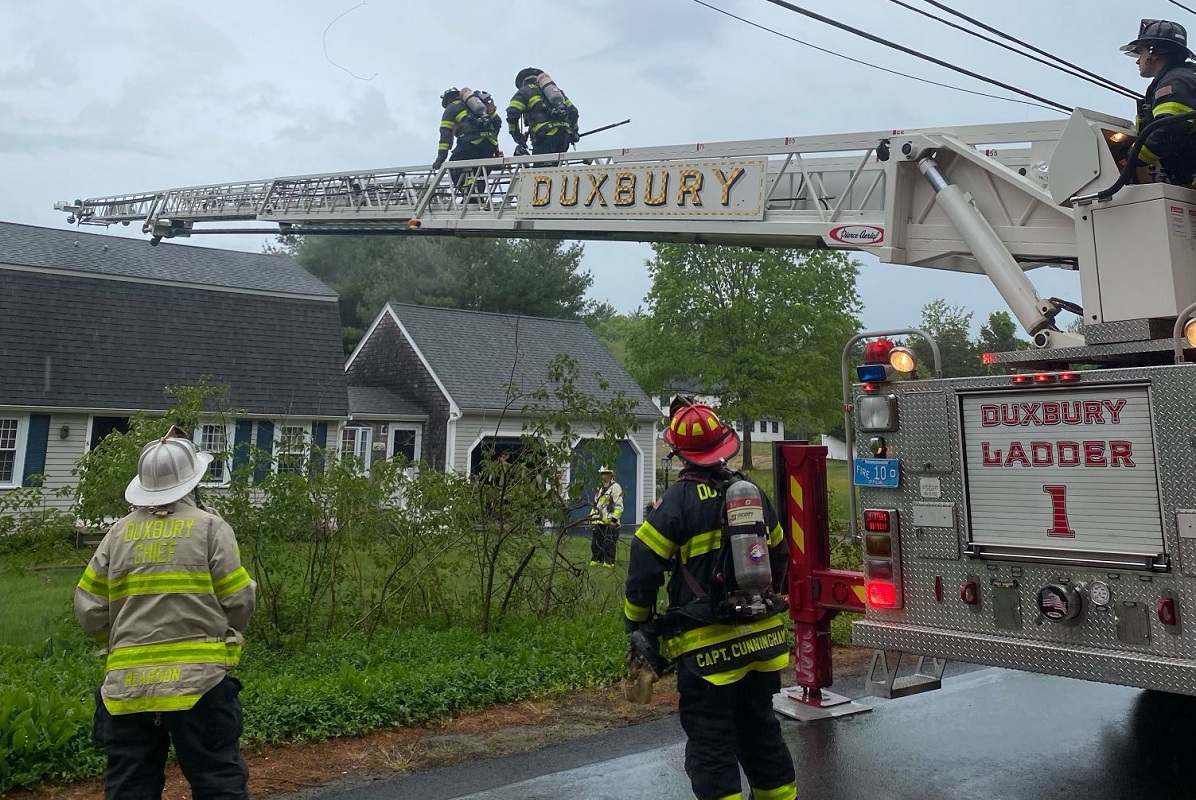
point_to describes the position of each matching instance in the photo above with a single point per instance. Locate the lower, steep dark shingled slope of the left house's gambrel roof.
(70, 340)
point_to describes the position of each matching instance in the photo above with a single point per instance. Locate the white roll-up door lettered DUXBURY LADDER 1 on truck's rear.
(1071, 469)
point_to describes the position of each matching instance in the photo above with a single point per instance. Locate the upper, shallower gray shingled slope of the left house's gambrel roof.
(97, 254)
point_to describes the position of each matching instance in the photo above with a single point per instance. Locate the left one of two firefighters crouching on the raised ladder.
(472, 118)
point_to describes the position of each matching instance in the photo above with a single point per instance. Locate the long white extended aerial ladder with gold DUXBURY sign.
(968, 199)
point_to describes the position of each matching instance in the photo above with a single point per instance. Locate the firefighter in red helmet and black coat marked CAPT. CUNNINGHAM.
(728, 664)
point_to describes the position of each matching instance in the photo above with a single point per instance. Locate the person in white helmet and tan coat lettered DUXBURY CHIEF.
(167, 600)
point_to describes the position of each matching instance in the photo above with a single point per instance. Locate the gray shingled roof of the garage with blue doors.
(473, 353)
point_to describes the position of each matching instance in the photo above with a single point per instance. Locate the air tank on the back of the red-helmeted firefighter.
(747, 535)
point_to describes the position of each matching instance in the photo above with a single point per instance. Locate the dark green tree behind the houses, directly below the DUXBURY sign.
(534, 278)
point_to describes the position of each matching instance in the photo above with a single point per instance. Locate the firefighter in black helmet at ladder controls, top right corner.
(1163, 56)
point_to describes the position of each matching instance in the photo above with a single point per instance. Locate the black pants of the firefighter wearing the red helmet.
(731, 726)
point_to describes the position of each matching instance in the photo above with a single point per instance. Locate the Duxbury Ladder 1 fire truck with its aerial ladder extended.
(1041, 518)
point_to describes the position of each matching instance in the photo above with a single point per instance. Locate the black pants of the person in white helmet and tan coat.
(206, 741)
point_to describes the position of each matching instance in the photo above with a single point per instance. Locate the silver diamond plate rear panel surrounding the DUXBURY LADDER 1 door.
(1088, 650)
